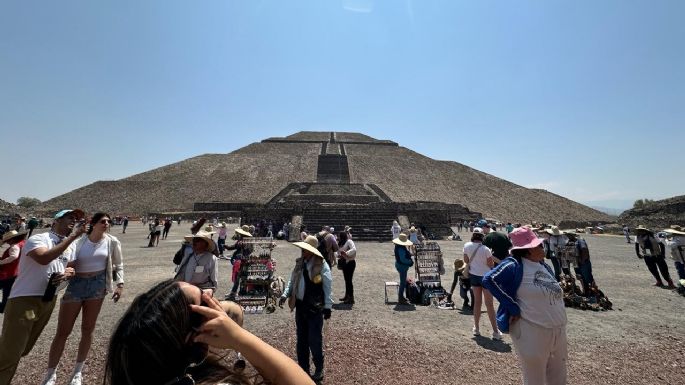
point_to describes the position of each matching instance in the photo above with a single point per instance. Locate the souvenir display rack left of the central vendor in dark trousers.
(258, 291)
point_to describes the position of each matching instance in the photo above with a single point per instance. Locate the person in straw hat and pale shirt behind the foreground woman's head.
(199, 267)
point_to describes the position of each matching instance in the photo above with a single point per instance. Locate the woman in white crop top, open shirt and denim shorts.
(98, 265)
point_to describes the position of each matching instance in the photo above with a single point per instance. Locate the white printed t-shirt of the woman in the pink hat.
(540, 297)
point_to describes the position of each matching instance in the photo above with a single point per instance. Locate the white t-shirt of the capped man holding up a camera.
(33, 277)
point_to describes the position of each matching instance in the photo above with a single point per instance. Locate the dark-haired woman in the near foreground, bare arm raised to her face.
(175, 334)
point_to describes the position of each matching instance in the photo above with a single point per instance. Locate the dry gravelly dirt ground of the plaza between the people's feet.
(640, 342)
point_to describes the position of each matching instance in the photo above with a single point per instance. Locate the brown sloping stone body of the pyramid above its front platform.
(259, 171)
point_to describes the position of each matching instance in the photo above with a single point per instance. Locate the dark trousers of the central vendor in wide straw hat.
(309, 326)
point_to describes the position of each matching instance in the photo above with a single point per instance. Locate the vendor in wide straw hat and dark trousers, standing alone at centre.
(309, 293)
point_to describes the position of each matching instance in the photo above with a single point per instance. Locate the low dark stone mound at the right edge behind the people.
(659, 214)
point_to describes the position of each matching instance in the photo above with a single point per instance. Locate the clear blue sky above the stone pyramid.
(585, 99)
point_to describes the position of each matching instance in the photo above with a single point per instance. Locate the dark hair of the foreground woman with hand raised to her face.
(150, 344)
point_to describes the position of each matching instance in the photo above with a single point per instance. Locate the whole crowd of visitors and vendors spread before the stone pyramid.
(175, 332)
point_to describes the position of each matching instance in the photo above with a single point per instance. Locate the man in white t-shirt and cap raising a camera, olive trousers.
(33, 296)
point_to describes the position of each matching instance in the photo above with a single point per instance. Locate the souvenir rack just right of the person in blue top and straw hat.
(428, 264)
